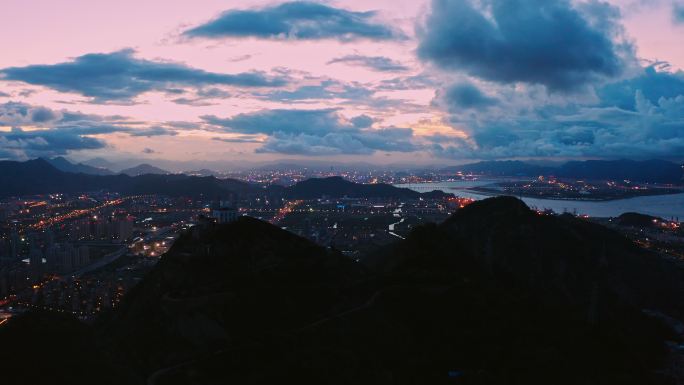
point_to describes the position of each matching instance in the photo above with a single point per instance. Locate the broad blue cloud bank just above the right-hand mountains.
(652, 127)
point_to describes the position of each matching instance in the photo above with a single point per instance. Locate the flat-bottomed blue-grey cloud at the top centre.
(295, 20)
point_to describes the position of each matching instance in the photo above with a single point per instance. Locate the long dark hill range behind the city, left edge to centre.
(39, 176)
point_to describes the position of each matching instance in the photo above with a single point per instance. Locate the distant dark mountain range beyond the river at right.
(651, 171)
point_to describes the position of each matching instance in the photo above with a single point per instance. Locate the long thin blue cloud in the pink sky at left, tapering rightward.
(119, 77)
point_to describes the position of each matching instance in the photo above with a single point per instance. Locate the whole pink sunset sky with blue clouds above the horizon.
(385, 82)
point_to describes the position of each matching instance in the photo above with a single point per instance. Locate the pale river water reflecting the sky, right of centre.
(665, 206)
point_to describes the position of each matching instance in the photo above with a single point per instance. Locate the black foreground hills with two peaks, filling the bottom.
(494, 295)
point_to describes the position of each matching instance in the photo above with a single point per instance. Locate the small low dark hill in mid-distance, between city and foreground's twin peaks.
(337, 187)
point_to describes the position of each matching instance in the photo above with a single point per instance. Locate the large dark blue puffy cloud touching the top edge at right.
(542, 42)
